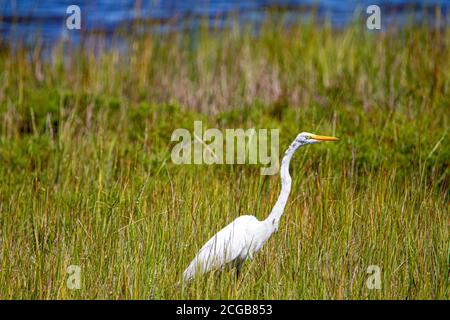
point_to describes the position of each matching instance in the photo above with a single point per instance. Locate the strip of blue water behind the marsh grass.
(26, 20)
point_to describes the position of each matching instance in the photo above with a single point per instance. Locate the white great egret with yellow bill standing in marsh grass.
(246, 235)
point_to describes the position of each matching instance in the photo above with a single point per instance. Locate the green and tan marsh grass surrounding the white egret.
(86, 176)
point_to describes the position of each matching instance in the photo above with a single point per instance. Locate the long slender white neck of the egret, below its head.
(274, 218)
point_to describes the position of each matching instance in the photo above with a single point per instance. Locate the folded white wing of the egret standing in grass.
(225, 246)
